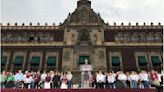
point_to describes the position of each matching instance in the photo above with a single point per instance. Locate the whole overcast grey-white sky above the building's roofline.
(55, 11)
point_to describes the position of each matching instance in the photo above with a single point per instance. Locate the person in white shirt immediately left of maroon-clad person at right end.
(144, 78)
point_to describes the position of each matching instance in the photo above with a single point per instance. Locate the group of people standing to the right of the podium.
(131, 79)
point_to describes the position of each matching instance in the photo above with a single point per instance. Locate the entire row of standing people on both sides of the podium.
(54, 79)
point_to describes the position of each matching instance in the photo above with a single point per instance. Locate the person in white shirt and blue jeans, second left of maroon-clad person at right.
(134, 77)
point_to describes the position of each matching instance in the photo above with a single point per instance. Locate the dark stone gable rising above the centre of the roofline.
(84, 14)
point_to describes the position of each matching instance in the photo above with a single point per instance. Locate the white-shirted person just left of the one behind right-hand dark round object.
(110, 79)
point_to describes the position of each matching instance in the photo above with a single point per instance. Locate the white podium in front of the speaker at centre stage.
(85, 70)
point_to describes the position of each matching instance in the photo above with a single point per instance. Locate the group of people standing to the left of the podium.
(36, 80)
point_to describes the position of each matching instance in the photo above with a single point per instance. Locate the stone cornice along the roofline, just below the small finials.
(52, 27)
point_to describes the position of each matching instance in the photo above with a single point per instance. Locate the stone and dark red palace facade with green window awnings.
(83, 35)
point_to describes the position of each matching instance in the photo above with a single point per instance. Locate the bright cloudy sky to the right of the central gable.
(131, 10)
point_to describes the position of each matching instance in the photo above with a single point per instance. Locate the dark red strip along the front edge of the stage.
(78, 90)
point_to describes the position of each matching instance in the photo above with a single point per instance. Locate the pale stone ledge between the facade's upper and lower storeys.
(108, 44)
